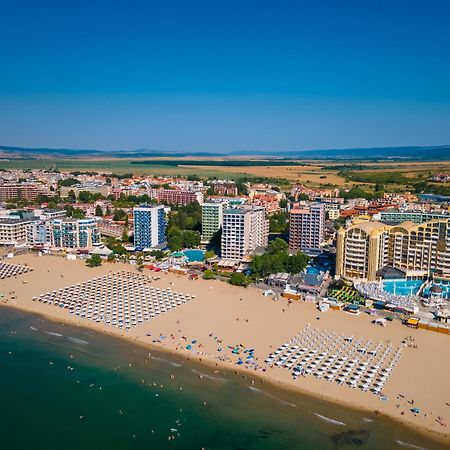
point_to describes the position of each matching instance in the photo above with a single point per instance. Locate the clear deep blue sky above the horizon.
(224, 74)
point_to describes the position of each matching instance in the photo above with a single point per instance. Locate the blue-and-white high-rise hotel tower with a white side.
(149, 225)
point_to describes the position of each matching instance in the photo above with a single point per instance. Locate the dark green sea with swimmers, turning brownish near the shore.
(65, 387)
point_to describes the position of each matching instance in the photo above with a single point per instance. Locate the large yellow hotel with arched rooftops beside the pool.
(418, 250)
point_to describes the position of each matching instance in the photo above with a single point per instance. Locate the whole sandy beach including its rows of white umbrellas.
(237, 328)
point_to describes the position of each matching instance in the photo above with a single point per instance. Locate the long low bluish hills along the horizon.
(424, 153)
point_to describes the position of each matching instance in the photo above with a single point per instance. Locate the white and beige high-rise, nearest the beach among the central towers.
(244, 230)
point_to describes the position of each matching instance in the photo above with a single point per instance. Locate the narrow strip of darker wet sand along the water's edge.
(243, 373)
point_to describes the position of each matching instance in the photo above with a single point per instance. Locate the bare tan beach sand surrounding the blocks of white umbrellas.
(222, 315)
